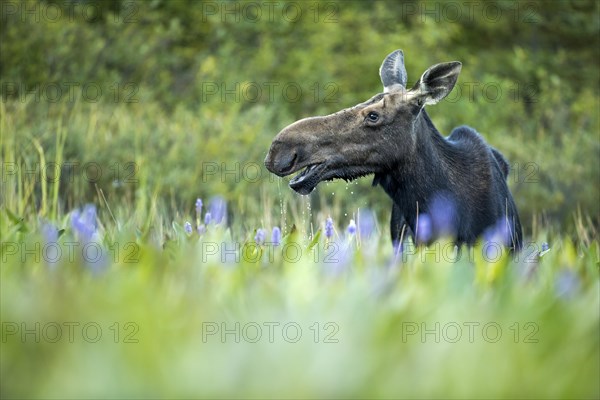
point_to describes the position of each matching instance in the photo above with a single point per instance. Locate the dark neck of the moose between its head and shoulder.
(414, 181)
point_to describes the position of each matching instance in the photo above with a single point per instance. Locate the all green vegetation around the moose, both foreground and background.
(142, 107)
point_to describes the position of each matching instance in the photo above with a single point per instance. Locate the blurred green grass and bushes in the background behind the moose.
(187, 85)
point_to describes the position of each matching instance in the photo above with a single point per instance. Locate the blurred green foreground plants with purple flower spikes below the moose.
(191, 307)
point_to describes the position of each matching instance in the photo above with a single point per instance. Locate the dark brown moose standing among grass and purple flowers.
(457, 184)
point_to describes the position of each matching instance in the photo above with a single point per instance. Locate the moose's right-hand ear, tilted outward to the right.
(437, 82)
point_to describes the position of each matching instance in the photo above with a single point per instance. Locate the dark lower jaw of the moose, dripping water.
(307, 180)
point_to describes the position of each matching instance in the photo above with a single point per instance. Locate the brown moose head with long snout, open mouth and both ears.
(369, 138)
